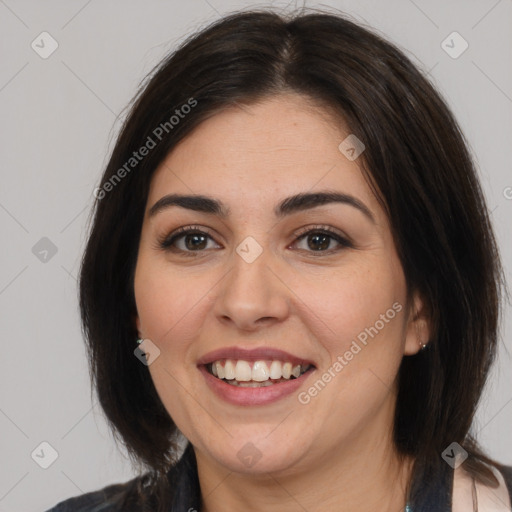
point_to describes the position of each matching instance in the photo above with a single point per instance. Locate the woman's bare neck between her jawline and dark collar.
(363, 474)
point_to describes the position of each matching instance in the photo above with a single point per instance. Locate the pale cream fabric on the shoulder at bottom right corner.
(495, 499)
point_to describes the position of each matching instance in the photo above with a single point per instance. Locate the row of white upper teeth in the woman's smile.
(242, 371)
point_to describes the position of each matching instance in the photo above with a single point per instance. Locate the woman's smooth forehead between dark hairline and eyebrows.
(260, 153)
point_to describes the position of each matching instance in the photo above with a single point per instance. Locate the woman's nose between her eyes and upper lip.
(252, 295)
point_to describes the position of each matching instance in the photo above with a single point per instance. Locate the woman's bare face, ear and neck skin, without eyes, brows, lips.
(335, 452)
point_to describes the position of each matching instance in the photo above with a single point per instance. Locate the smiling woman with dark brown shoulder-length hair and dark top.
(291, 264)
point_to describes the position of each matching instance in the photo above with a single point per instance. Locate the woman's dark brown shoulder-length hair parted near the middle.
(417, 163)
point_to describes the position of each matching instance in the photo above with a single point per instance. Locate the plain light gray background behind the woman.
(59, 118)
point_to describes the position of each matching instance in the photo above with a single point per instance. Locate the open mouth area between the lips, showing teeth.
(256, 374)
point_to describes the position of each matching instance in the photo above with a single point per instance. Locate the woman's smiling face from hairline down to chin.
(262, 275)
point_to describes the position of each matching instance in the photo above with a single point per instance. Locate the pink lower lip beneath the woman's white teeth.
(252, 396)
